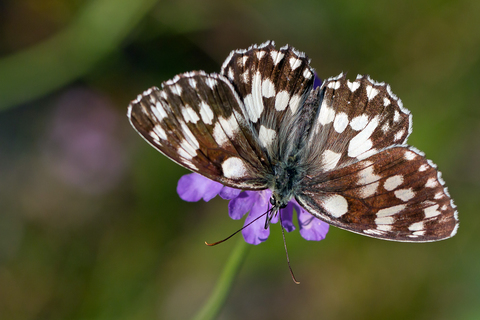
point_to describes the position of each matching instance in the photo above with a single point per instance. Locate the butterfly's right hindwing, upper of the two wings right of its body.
(355, 120)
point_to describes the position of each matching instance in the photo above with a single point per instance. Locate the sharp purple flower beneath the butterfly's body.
(193, 187)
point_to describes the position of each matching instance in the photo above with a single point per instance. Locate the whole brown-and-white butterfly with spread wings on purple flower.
(340, 149)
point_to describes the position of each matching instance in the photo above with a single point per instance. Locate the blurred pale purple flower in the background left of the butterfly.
(82, 146)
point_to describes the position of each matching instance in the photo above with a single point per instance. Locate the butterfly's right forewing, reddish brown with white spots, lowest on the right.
(395, 194)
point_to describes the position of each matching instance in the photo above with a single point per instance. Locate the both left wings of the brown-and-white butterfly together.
(231, 127)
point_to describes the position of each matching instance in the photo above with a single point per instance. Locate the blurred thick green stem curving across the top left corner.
(99, 28)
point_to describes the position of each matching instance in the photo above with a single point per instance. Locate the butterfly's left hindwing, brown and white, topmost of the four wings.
(274, 84)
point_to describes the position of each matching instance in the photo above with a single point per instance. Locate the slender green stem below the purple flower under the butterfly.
(224, 285)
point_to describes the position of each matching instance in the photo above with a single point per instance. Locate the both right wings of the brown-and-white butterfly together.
(362, 178)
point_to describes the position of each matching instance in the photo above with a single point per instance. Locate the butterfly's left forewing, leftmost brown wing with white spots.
(198, 121)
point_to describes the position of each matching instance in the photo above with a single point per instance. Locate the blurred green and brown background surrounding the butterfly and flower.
(90, 223)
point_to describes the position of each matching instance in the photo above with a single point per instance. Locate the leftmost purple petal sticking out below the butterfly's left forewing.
(193, 187)
